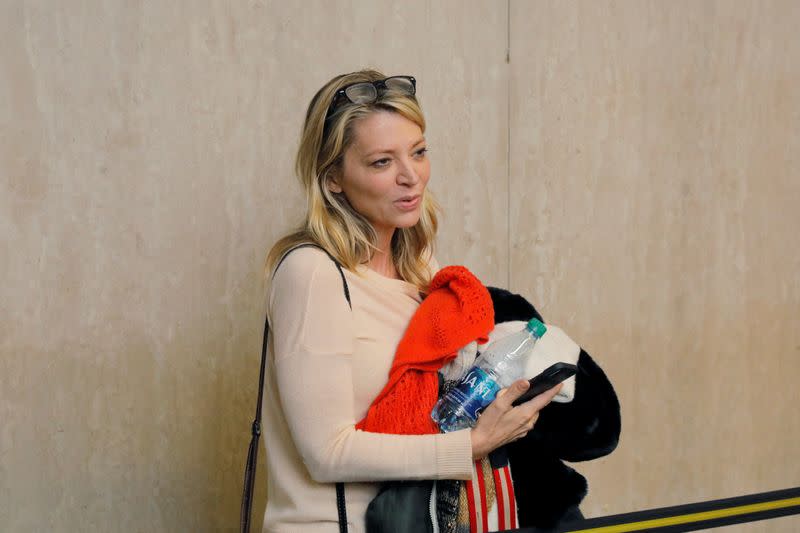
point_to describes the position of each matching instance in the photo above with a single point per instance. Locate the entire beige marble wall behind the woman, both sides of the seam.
(631, 169)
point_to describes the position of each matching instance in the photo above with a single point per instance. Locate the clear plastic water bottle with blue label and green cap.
(501, 364)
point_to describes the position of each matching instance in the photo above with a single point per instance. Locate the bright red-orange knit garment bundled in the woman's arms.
(457, 311)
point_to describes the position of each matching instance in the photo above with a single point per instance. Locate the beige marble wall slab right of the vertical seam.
(654, 151)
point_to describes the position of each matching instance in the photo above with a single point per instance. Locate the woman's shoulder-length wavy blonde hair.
(330, 222)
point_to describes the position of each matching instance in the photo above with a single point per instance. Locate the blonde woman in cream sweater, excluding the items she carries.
(364, 166)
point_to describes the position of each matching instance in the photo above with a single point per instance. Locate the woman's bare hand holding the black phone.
(502, 423)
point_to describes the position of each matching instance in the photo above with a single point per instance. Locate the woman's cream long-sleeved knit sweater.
(325, 365)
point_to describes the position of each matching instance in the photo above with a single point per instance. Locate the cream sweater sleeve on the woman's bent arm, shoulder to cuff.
(313, 335)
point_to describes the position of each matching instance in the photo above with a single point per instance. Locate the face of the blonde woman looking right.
(385, 171)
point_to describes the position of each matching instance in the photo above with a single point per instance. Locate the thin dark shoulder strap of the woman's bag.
(252, 452)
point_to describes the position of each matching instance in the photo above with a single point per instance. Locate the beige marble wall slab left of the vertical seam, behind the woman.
(146, 161)
